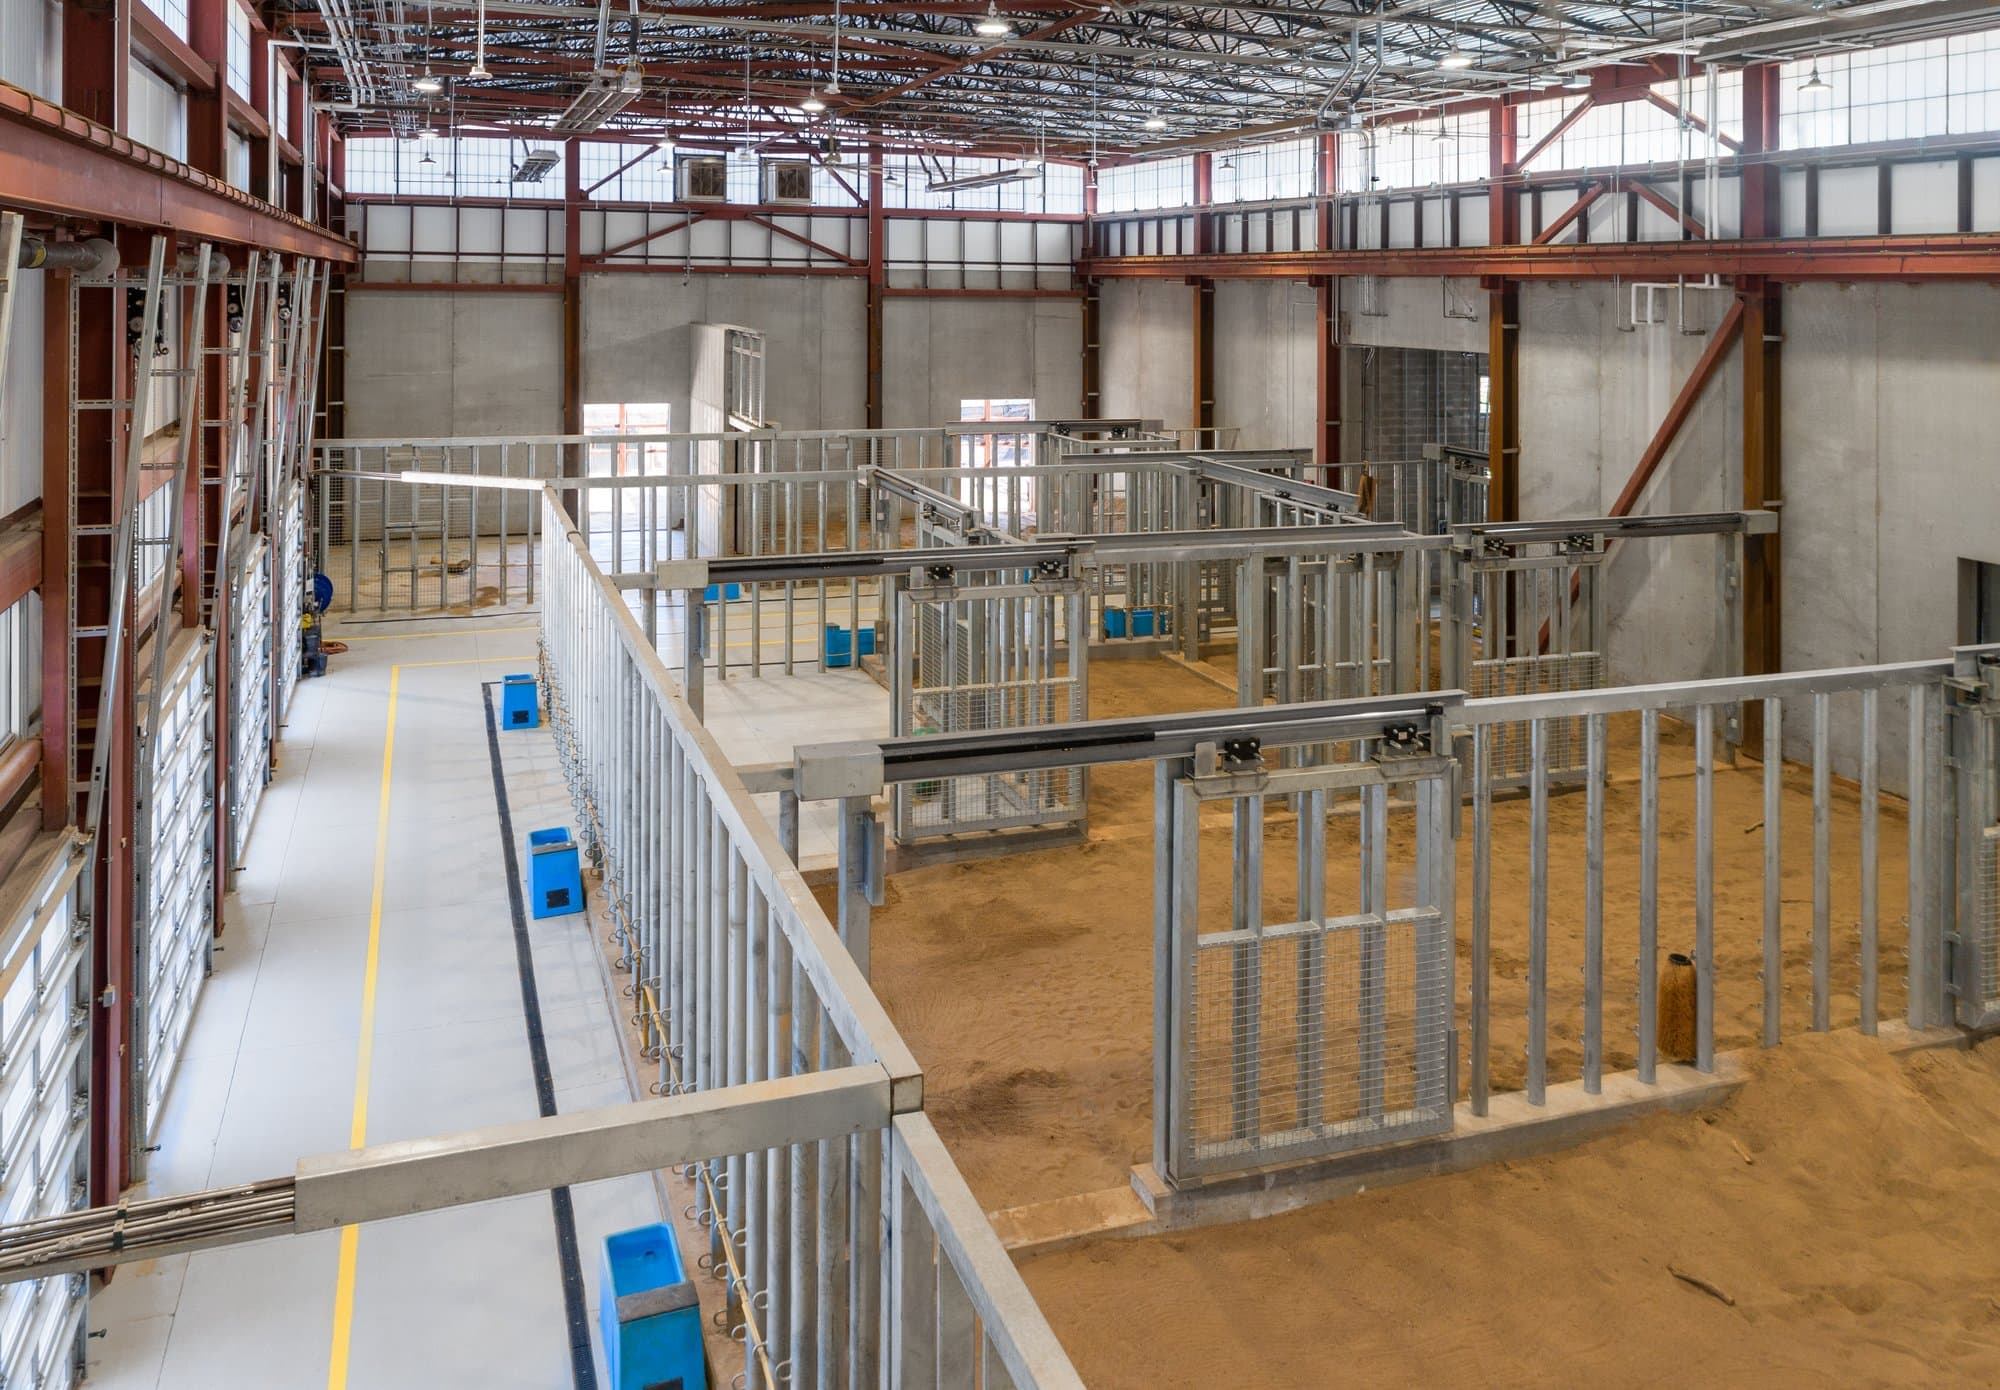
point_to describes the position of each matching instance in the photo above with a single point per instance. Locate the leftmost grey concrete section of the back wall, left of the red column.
(439, 363)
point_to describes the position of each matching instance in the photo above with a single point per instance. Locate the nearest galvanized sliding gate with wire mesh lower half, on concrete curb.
(1331, 1027)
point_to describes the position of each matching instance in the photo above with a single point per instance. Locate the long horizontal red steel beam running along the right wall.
(1925, 257)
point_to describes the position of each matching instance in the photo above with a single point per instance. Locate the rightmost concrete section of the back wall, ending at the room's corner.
(939, 353)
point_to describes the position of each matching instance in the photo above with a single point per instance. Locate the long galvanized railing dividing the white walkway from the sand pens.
(847, 1263)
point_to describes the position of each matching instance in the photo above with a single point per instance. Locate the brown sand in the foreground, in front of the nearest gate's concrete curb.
(1847, 1201)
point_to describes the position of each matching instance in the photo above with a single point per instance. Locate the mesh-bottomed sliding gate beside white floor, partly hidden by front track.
(979, 659)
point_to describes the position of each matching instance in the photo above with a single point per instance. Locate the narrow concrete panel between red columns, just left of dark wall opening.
(1267, 363)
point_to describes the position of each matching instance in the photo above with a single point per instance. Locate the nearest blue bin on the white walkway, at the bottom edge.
(649, 1315)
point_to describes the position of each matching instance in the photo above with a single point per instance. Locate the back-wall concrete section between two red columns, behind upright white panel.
(635, 341)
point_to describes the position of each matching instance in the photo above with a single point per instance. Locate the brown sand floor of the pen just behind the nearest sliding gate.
(1025, 985)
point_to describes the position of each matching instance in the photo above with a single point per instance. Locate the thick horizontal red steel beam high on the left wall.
(59, 163)
